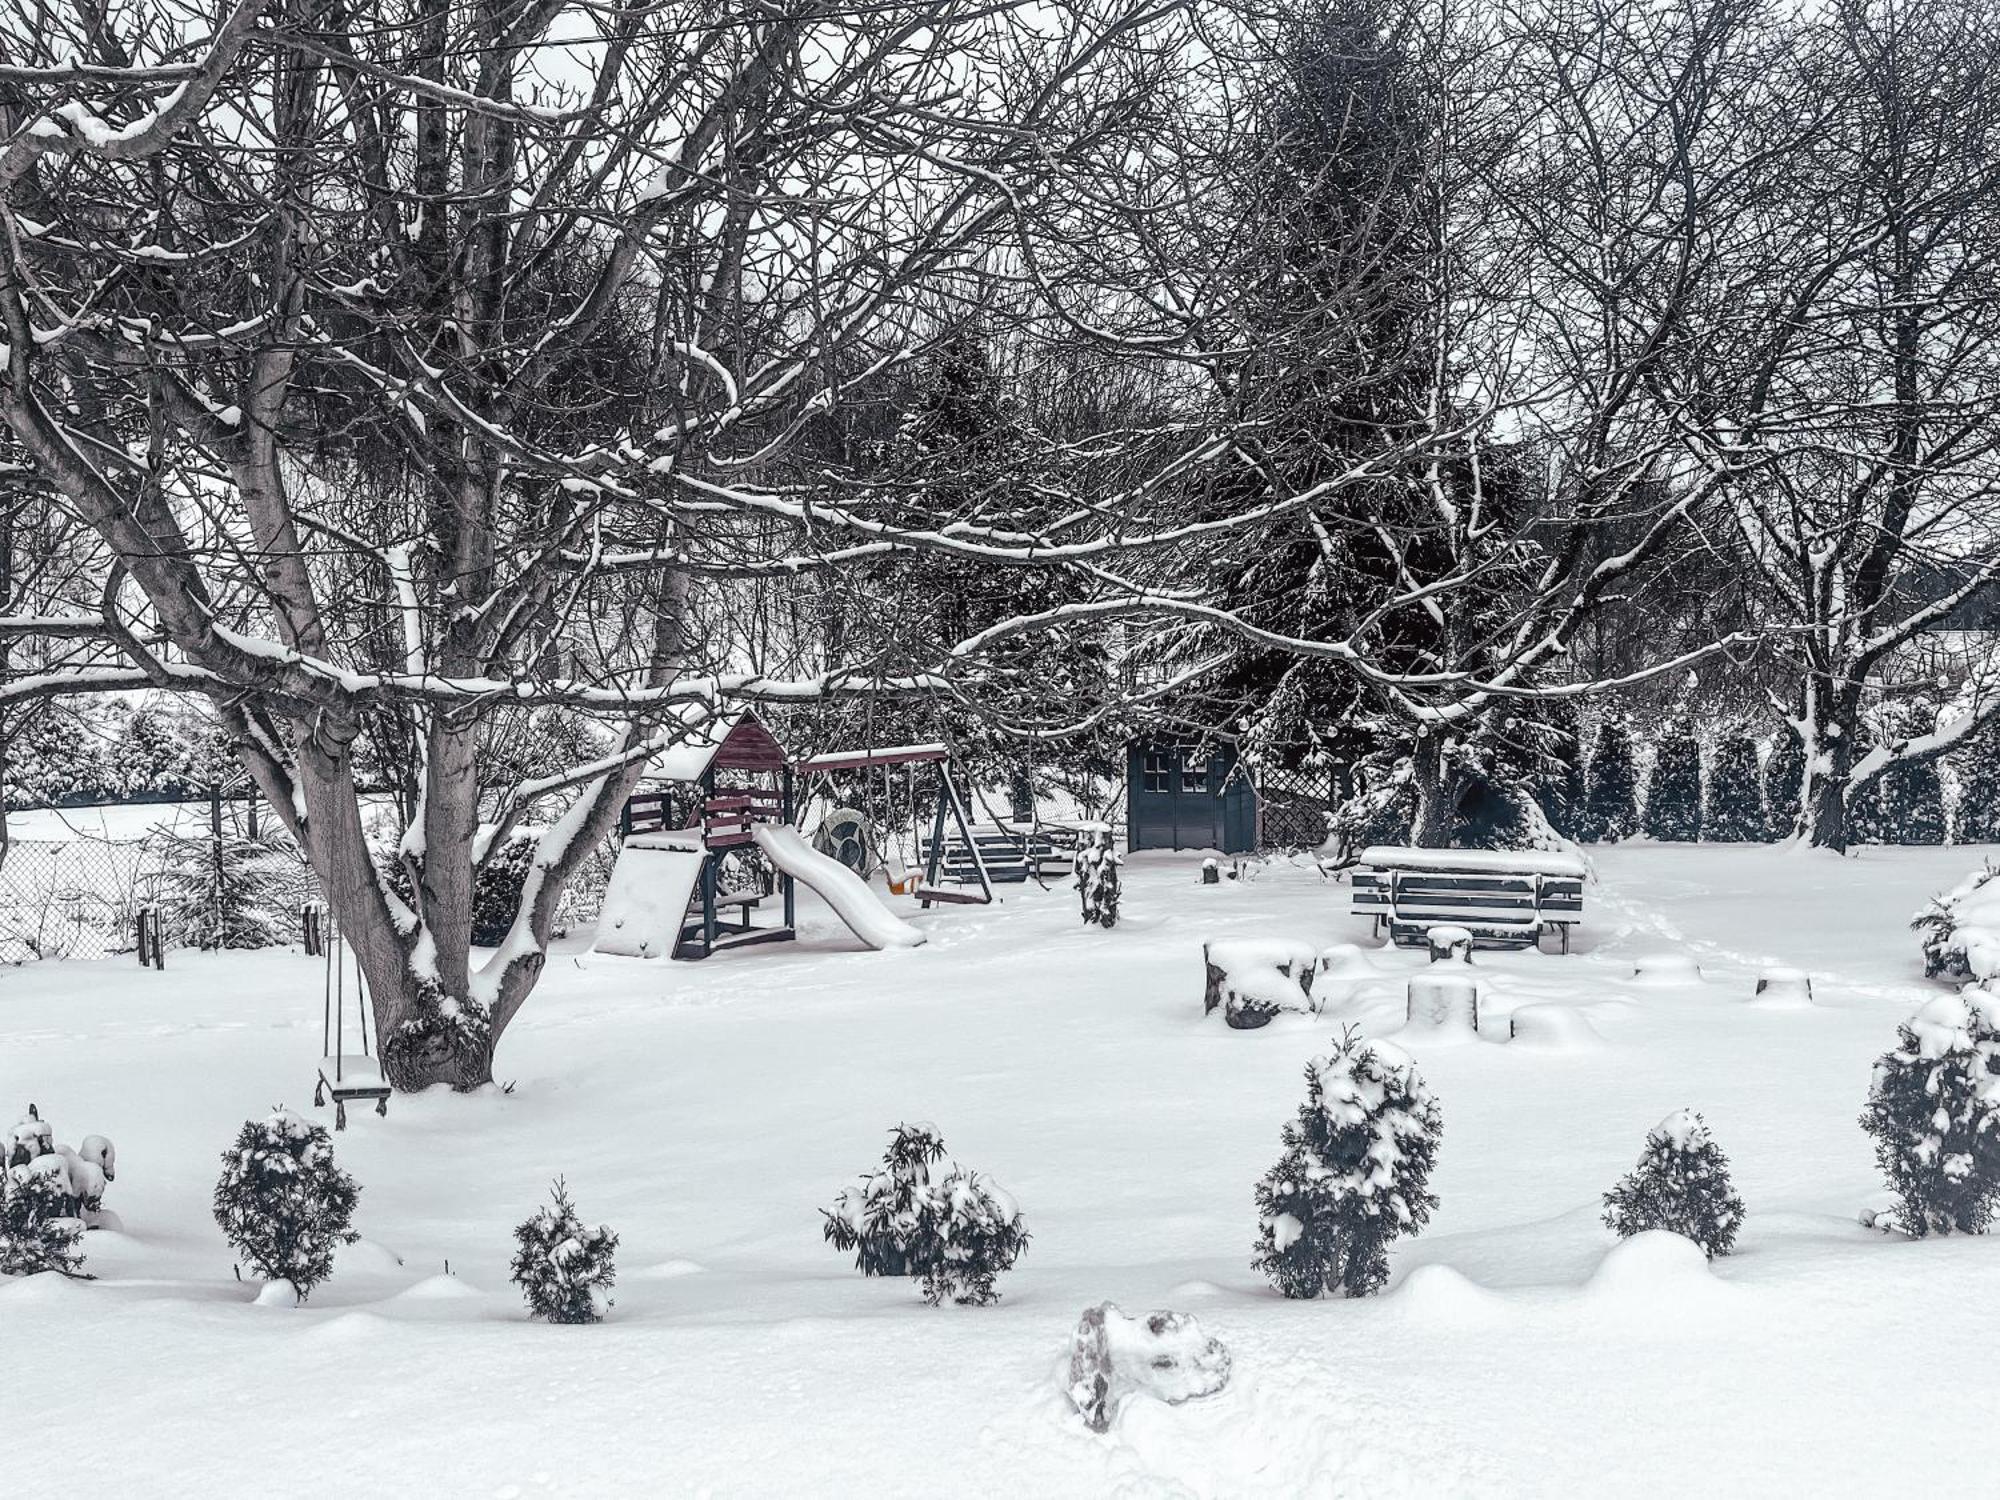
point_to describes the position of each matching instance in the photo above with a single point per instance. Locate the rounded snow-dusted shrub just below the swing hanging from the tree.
(283, 1203)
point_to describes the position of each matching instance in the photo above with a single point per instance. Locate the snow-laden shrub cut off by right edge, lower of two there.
(1935, 1117)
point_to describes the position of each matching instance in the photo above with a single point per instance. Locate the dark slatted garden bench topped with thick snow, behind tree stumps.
(1507, 899)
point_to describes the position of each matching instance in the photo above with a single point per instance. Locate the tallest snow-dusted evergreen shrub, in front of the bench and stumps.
(1355, 1173)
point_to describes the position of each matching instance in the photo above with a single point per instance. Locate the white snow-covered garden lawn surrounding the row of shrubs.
(709, 1111)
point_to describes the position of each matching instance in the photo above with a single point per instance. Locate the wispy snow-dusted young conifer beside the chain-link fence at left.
(231, 893)
